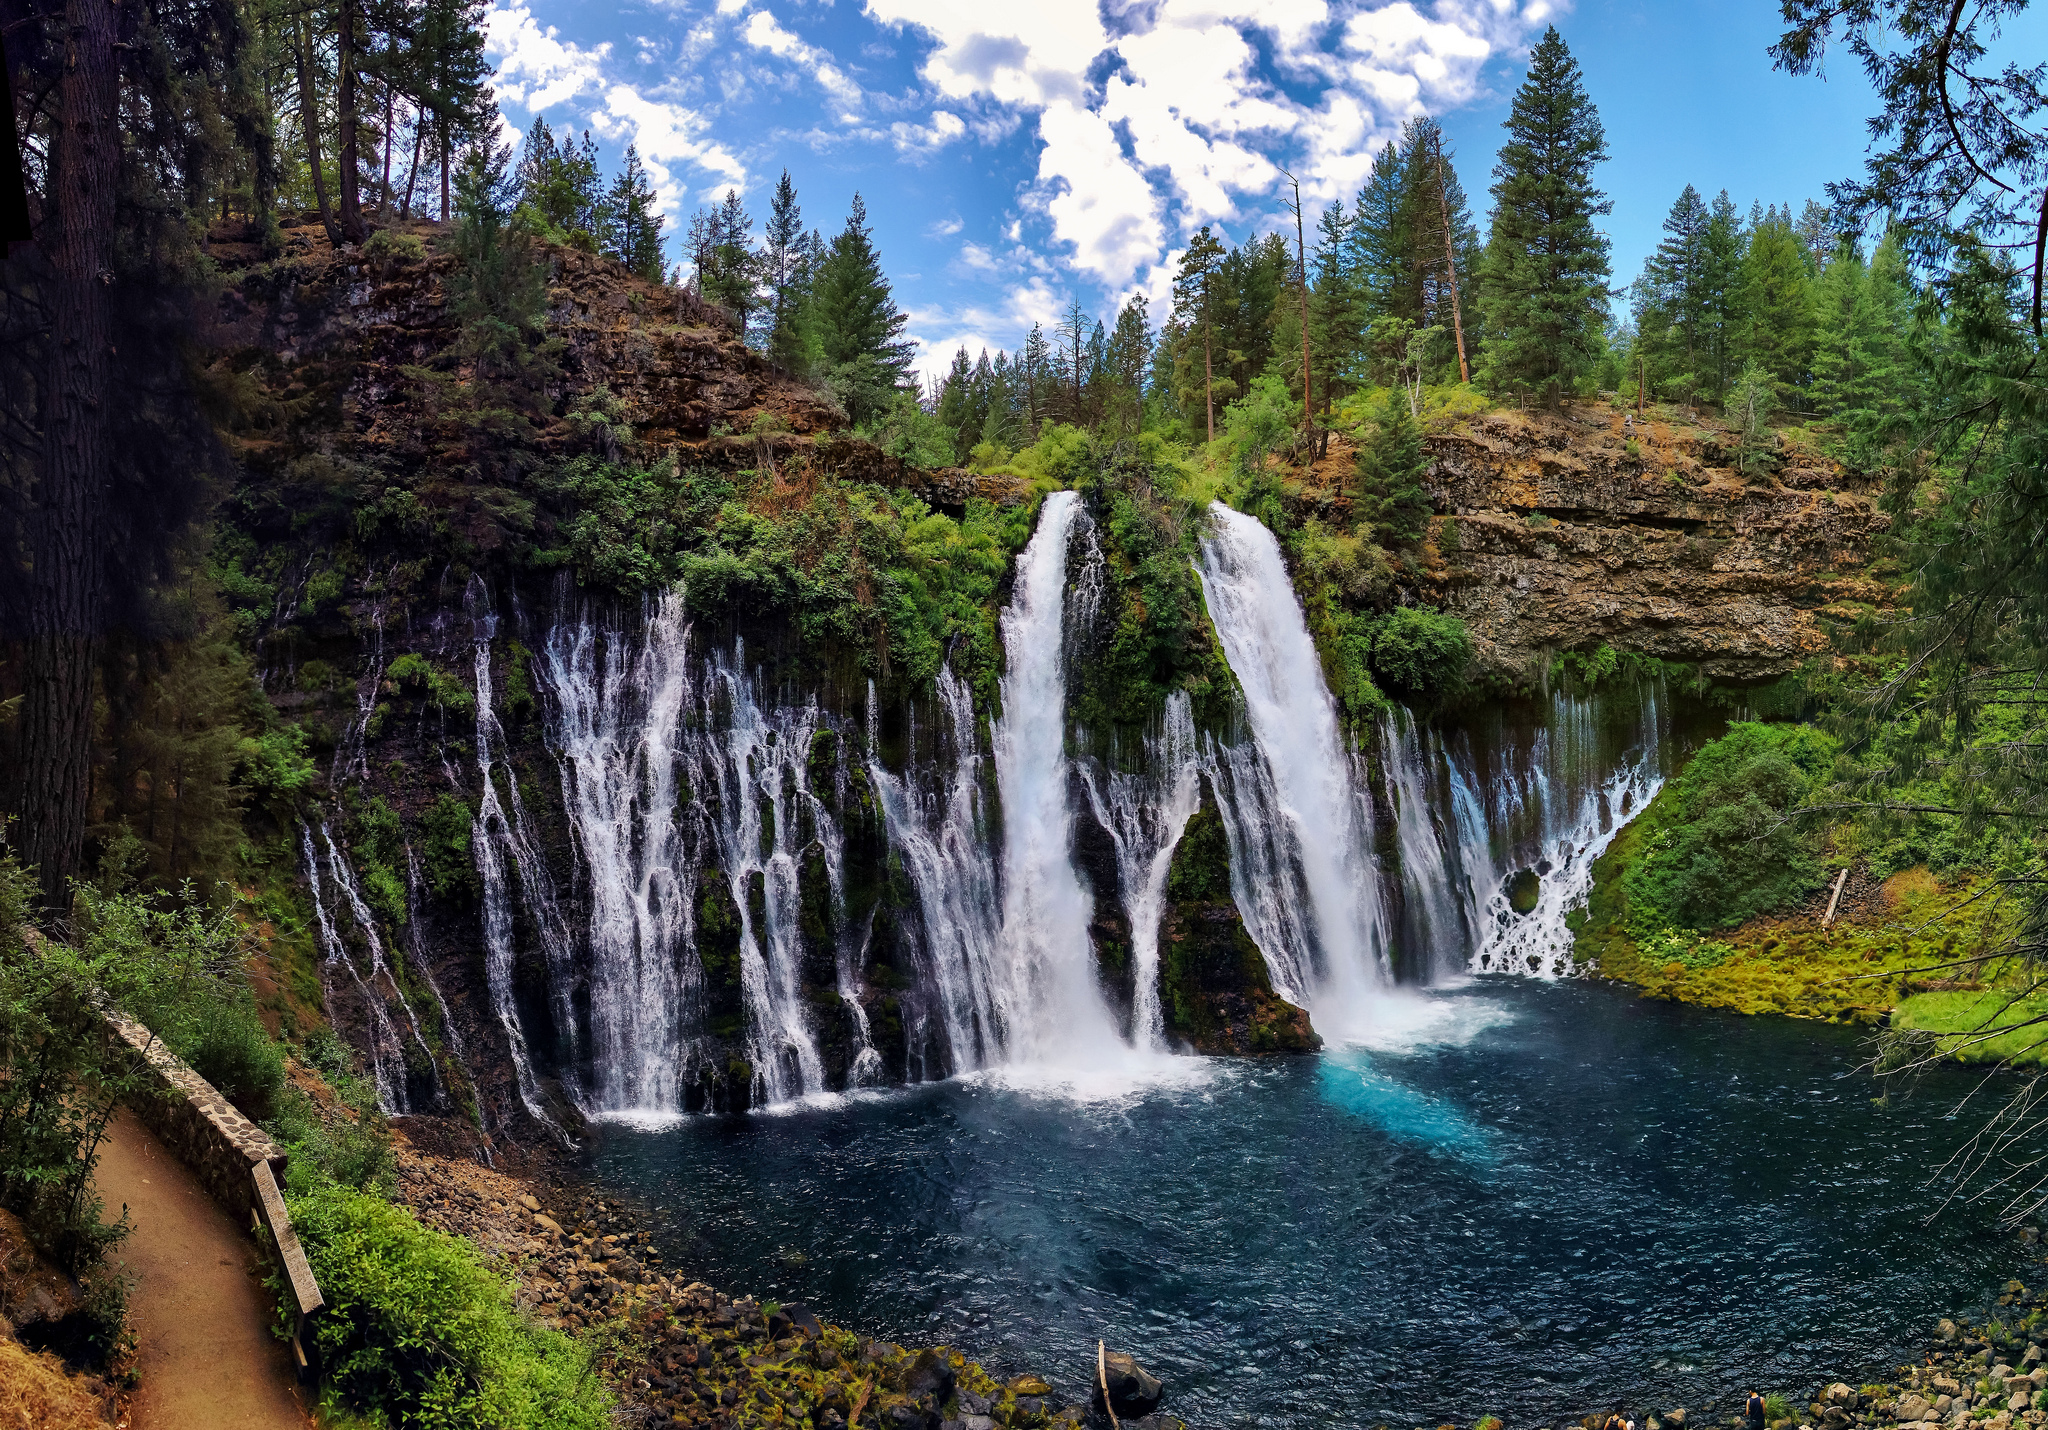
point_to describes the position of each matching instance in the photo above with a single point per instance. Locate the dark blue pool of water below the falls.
(1523, 1200)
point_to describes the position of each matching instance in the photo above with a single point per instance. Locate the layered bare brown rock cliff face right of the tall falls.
(1562, 538)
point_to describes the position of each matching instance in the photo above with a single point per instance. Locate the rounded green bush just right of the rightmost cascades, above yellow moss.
(1723, 849)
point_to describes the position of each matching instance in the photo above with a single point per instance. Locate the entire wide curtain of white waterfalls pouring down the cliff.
(746, 905)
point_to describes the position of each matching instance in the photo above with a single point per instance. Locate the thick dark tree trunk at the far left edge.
(67, 587)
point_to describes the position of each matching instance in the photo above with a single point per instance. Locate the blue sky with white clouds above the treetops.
(1017, 155)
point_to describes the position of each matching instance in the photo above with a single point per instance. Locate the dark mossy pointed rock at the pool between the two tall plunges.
(1215, 993)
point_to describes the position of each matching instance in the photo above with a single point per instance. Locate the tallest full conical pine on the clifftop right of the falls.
(1547, 263)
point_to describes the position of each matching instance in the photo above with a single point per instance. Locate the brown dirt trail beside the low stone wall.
(202, 1316)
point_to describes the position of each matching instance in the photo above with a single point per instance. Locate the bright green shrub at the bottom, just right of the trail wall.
(421, 1333)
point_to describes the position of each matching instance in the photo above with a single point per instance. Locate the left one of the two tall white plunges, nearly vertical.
(1050, 1001)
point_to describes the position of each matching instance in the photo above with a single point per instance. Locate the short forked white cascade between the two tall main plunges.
(1146, 816)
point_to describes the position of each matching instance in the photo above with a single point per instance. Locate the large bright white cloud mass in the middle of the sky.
(1179, 118)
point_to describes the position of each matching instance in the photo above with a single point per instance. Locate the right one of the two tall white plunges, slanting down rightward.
(1302, 812)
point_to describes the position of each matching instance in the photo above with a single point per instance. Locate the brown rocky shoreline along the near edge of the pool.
(685, 1355)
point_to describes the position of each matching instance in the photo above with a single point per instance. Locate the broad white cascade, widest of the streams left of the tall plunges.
(617, 714)
